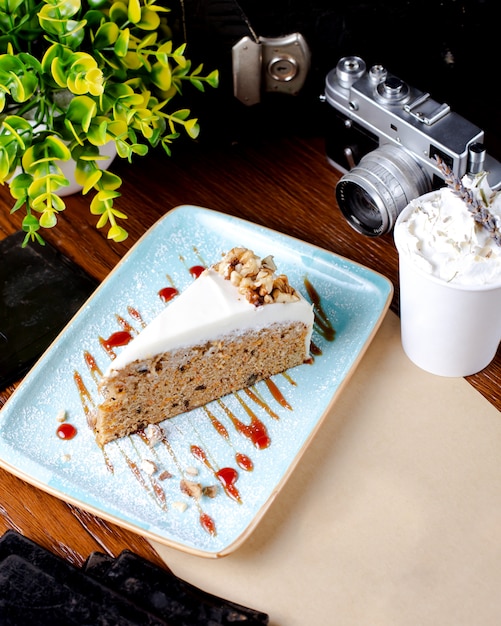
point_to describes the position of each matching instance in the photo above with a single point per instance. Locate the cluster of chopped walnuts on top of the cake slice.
(255, 278)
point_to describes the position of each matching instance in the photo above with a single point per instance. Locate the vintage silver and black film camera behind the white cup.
(384, 135)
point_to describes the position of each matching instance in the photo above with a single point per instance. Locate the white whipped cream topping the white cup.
(441, 236)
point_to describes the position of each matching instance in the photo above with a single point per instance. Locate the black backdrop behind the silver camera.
(446, 47)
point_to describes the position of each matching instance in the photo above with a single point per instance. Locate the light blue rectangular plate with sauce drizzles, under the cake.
(247, 444)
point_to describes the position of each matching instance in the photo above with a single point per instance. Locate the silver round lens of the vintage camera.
(374, 192)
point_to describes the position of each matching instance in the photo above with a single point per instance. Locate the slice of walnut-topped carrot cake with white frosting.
(239, 322)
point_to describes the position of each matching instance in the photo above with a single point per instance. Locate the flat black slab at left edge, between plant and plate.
(40, 291)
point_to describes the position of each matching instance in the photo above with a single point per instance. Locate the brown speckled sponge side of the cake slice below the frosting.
(150, 391)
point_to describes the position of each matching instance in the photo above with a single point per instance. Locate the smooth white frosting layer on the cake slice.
(209, 308)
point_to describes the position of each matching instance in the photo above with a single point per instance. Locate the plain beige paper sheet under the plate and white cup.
(392, 517)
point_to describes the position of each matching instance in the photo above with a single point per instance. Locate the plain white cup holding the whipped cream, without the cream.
(447, 328)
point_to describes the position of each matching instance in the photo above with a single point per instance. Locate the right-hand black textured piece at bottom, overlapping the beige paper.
(159, 591)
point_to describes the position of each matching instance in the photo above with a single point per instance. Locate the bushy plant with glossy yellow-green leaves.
(79, 75)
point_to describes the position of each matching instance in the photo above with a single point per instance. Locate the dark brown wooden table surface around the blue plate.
(282, 183)
